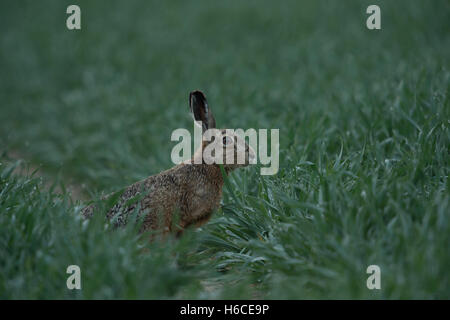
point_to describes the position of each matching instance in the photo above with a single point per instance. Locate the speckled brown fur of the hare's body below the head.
(191, 190)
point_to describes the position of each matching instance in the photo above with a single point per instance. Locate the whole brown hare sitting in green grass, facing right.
(186, 194)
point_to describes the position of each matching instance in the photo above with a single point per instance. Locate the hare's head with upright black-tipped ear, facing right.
(218, 145)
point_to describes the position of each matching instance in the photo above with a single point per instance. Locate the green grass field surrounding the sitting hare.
(364, 146)
